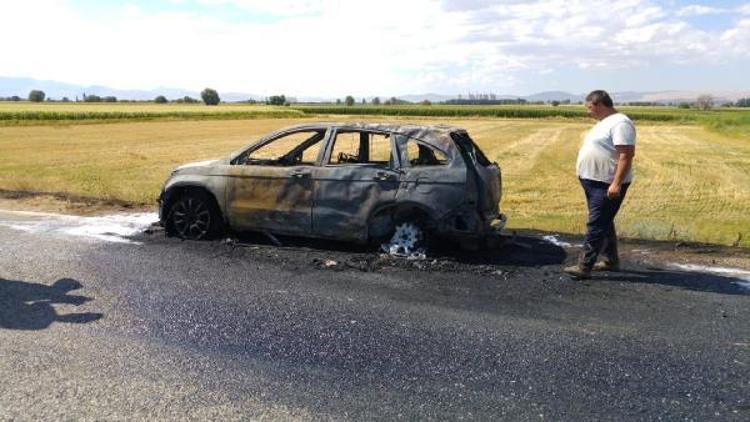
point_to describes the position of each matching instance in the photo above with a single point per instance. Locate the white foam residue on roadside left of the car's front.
(110, 228)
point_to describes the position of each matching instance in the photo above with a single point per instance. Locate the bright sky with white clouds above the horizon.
(384, 47)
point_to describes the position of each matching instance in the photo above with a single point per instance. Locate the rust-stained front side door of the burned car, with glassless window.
(270, 185)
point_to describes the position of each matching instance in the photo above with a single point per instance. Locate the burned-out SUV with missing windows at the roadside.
(354, 182)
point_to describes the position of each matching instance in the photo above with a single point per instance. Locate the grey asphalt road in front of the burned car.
(166, 329)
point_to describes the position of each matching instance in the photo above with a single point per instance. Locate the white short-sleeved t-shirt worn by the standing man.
(597, 158)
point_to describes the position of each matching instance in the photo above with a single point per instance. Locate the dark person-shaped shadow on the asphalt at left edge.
(28, 306)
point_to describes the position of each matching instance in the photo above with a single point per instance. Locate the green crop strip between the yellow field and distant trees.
(730, 121)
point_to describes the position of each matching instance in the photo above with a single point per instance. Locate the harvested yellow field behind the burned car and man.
(691, 184)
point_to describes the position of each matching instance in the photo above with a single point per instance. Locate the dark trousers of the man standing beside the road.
(600, 234)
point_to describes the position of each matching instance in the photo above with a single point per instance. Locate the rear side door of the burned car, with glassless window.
(357, 175)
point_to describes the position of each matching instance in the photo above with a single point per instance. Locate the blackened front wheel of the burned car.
(195, 216)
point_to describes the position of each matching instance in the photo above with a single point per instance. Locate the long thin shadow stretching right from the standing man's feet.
(700, 282)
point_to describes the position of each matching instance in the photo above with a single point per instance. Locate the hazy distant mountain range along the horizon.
(10, 86)
